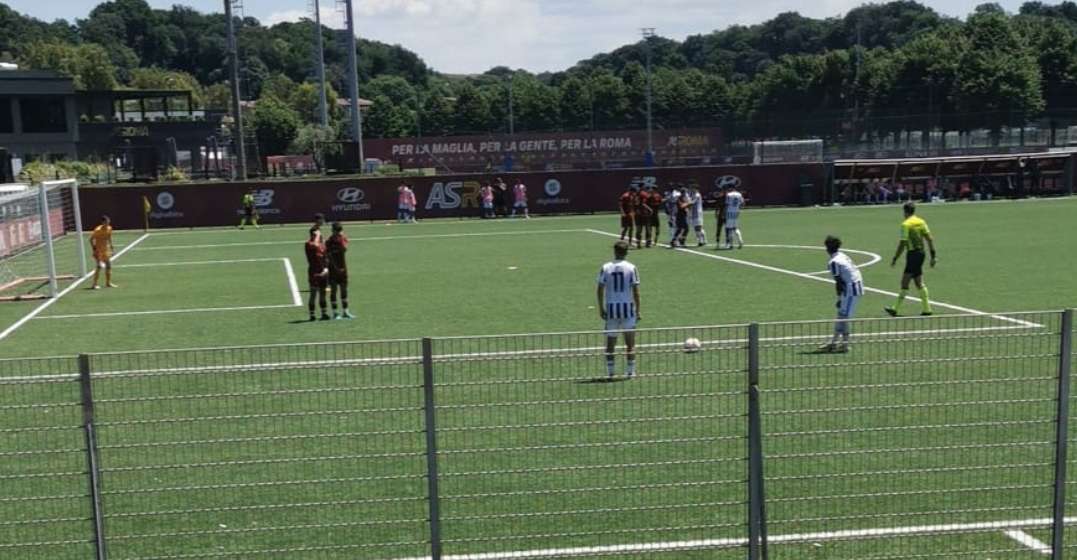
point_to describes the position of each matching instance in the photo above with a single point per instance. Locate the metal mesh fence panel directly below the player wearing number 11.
(541, 452)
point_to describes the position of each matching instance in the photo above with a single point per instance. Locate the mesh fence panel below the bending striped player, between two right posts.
(931, 439)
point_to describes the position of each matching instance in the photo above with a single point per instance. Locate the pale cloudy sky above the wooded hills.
(474, 36)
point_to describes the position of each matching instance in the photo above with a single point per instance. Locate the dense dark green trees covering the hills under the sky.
(880, 69)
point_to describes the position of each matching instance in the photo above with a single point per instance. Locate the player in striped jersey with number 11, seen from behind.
(619, 299)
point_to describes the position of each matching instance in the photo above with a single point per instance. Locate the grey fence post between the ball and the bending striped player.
(758, 512)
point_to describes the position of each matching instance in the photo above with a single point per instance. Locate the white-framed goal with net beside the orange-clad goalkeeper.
(41, 246)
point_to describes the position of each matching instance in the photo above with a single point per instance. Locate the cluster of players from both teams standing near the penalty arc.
(684, 209)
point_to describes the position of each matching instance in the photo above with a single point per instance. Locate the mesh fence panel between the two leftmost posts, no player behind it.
(290, 452)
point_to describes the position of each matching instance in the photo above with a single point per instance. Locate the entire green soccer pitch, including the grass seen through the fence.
(932, 439)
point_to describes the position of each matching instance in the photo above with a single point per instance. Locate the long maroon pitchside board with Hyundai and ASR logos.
(446, 197)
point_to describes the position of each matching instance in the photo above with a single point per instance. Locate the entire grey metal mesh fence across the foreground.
(932, 438)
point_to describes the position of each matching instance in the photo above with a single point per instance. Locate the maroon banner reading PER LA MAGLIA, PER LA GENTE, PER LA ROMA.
(548, 150)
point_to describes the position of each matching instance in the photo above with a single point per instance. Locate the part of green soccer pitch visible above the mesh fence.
(212, 288)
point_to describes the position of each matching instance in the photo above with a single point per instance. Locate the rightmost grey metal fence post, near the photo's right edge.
(1062, 429)
